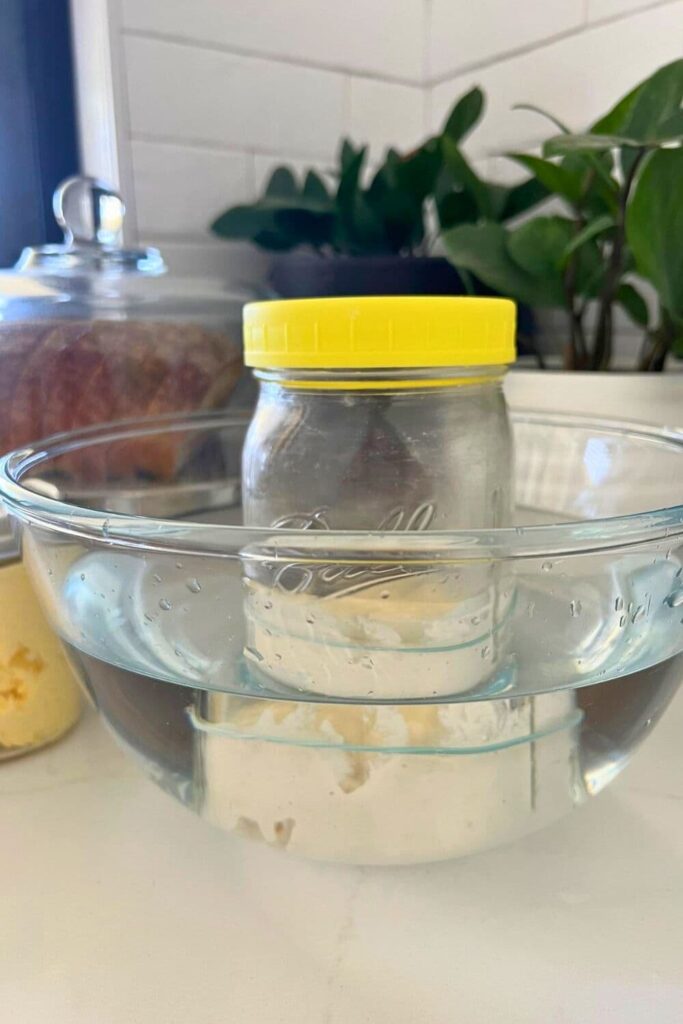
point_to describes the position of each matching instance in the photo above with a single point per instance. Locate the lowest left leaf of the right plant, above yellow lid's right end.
(483, 250)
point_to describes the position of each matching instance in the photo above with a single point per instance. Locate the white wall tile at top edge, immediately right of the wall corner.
(462, 34)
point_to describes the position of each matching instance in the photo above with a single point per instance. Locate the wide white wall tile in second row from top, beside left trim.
(184, 94)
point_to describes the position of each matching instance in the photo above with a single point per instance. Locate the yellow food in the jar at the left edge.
(39, 697)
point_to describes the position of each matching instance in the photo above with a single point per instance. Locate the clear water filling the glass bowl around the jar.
(162, 657)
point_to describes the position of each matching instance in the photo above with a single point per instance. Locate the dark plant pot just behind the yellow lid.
(306, 276)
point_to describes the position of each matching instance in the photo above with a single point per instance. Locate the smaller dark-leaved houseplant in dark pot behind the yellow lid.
(355, 233)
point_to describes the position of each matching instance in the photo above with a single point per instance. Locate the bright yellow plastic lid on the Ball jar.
(379, 332)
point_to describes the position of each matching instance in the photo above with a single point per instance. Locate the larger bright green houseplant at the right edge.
(621, 189)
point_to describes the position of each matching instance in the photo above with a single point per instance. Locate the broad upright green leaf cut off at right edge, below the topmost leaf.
(655, 227)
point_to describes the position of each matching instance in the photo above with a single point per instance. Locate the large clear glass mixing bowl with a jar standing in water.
(365, 698)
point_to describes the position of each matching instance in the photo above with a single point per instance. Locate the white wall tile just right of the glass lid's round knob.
(179, 191)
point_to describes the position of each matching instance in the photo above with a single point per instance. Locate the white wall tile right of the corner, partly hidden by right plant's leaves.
(577, 79)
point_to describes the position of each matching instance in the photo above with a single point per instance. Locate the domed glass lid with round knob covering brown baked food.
(94, 331)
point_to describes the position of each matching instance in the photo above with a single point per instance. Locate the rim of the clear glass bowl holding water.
(170, 536)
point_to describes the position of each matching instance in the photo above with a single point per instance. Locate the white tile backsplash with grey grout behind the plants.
(217, 94)
